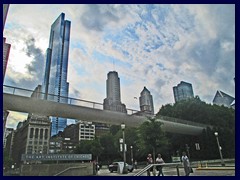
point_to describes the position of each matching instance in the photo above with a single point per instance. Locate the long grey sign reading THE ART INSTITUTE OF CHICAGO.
(56, 157)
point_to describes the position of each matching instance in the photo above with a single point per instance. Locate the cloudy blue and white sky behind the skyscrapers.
(152, 45)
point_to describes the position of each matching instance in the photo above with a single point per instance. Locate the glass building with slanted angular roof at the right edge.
(224, 99)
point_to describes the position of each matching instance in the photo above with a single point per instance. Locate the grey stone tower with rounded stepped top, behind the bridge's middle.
(113, 100)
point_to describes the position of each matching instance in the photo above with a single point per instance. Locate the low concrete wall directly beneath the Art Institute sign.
(68, 169)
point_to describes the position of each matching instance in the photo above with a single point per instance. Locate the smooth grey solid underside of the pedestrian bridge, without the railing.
(49, 108)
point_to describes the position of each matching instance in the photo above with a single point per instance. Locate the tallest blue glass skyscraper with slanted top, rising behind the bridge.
(55, 78)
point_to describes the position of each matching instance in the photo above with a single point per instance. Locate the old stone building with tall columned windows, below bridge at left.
(31, 137)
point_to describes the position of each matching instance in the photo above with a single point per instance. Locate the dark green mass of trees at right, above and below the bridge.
(221, 118)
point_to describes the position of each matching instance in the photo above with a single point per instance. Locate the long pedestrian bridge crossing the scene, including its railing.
(20, 100)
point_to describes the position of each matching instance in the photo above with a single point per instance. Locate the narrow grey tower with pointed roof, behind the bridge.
(146, 101)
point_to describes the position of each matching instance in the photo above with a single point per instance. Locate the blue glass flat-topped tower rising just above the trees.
(183, 91)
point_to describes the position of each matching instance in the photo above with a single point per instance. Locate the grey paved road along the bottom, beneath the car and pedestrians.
(173, 172)
